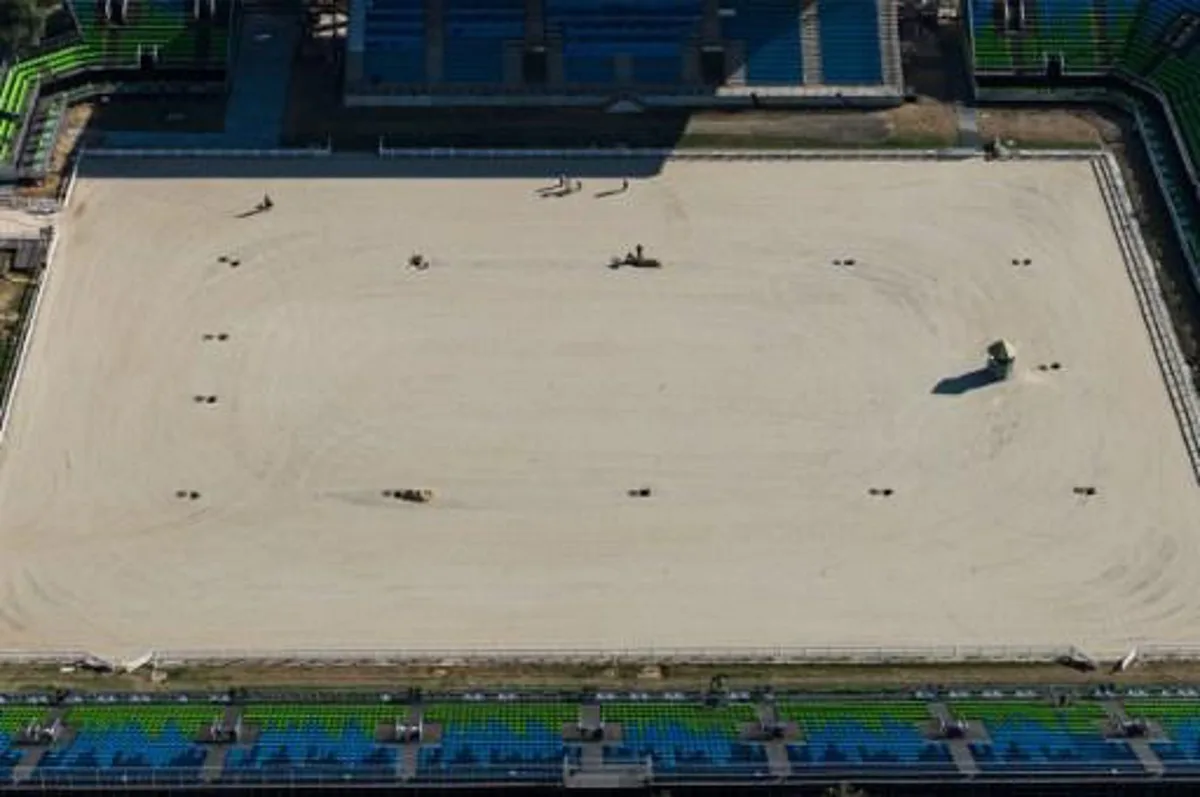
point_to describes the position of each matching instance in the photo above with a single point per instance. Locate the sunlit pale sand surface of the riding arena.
(759, 389)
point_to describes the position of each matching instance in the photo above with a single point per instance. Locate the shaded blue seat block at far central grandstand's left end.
(394, 43)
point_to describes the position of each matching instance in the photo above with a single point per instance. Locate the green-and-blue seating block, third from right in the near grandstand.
(874, 736)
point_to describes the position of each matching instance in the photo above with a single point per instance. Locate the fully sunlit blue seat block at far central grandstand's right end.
(850, 43)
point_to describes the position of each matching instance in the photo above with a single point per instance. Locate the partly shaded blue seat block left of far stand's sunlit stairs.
(770, 32)
